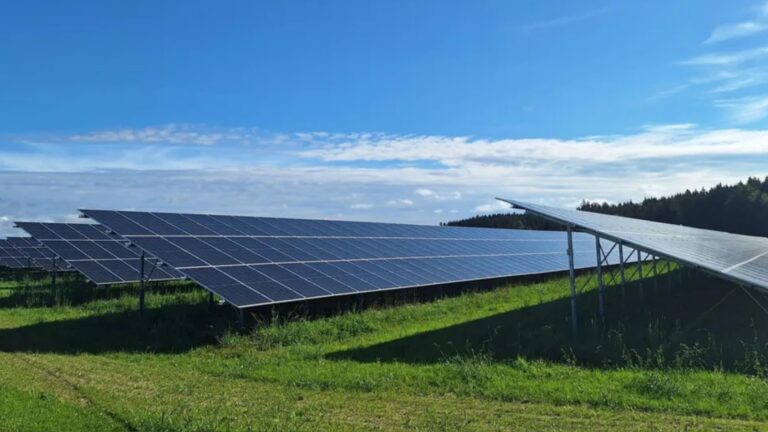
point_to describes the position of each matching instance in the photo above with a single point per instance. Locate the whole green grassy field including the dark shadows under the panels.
(691, 356)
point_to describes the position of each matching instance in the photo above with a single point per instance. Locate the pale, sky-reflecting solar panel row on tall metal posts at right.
(740, 258)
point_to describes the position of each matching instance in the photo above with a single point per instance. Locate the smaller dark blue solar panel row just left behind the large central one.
(101, 257)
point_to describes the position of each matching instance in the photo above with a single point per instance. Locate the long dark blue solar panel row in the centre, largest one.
(251, 261)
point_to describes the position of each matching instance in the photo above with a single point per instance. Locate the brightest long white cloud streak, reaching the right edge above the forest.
(524, 154)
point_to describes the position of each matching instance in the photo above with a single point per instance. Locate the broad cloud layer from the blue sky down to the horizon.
(49, 182)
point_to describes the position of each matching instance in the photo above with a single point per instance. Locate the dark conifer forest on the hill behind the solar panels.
(741, 208)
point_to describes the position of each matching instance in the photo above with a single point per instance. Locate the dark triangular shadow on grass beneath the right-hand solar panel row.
(666, 327)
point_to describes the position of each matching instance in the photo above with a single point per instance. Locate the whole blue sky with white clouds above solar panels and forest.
(398, 111)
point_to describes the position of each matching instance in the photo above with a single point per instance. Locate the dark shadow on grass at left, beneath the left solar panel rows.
(168, 329)
